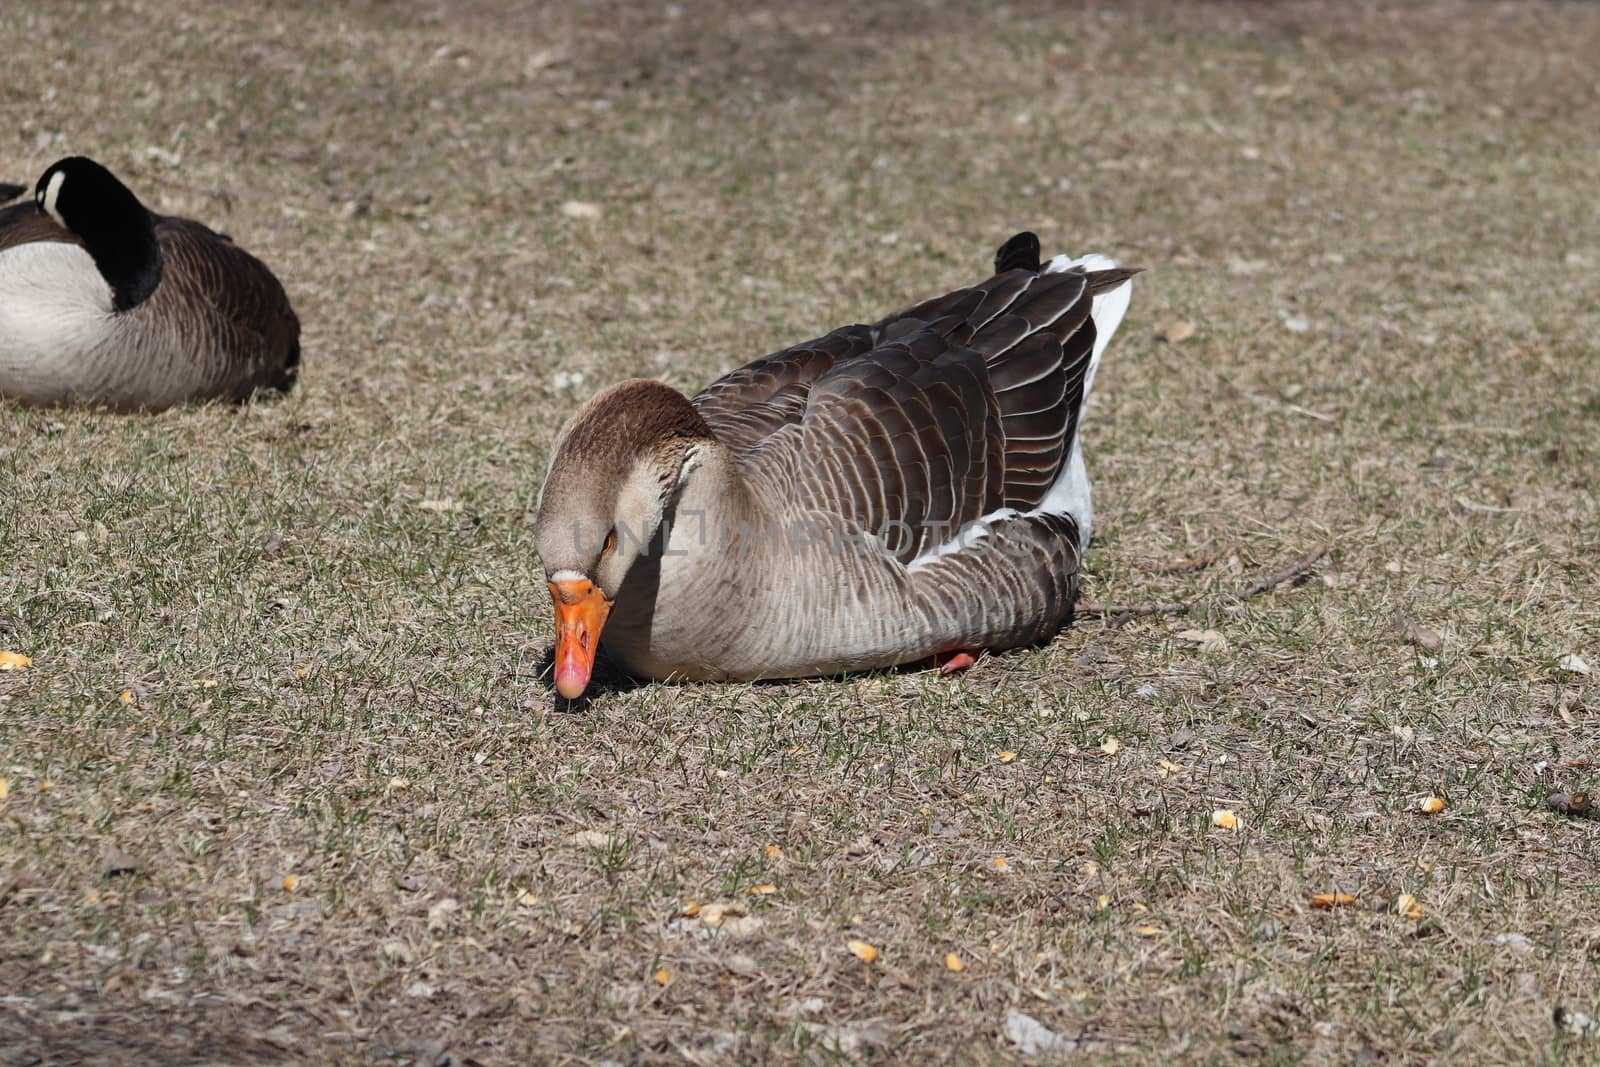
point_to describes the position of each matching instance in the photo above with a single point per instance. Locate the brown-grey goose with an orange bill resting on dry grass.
(902, 492)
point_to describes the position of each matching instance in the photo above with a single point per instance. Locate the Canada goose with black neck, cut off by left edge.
(106, 303)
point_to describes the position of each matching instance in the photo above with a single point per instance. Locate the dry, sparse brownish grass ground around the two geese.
(286, 783)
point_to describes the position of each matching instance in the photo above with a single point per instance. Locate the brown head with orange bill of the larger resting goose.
(615, 473)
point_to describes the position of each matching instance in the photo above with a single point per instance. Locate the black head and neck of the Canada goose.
(116, 230)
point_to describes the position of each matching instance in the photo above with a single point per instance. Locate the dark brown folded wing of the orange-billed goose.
(929, 420)
